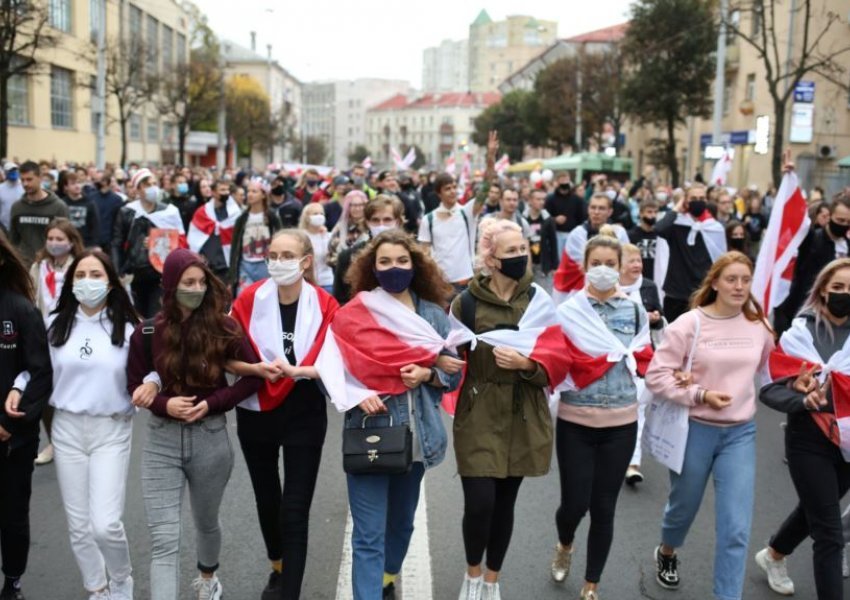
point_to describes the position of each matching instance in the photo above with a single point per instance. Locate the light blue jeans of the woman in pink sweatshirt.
(728, 452)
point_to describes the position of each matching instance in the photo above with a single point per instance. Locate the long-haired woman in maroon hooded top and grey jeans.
(185, 347)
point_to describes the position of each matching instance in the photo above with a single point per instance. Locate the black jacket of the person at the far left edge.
(23, 347)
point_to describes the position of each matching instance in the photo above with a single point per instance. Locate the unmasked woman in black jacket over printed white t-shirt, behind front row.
(252, 235)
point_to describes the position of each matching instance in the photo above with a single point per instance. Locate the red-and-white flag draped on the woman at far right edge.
(797, 348)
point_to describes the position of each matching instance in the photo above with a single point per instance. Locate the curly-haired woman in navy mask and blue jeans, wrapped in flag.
(395, 282)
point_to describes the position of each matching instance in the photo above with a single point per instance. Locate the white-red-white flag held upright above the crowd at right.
(788, 226)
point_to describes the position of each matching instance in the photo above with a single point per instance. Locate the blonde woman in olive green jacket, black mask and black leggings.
(502, 425)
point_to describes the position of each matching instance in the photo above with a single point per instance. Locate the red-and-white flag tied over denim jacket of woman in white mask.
(592, 347)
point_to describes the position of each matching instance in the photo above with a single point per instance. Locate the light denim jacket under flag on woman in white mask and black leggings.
(615, 389)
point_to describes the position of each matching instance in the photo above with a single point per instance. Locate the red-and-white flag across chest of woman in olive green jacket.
(537, 336)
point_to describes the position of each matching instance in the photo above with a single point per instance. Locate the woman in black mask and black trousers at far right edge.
(818, 467)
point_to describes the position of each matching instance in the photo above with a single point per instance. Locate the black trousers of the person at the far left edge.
(16, 474)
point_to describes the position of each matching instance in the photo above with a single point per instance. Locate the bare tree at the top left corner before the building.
(24, 30)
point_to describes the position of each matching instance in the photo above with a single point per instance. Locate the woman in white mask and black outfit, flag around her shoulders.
(285, 318)
